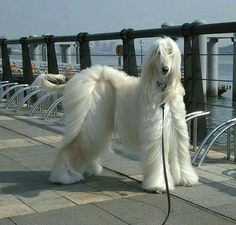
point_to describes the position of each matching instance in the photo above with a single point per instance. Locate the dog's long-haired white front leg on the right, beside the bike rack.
(187, 173)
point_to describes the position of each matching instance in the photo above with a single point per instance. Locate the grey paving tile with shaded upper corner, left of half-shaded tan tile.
(44, 200)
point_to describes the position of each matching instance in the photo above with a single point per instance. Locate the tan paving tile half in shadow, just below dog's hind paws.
(81, 193)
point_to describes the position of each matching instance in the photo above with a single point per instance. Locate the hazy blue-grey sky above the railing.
(67, 17)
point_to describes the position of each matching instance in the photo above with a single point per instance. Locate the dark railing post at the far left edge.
(6, 65)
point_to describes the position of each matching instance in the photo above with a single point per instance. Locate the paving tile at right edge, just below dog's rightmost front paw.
(208, 195)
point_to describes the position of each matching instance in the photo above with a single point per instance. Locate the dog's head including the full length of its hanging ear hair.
(162, 68)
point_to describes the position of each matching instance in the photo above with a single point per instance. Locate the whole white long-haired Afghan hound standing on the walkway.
(101, 100)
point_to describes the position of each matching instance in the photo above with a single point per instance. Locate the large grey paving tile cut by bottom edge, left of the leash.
(78, 215)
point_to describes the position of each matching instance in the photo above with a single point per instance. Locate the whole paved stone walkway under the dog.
(115, 197)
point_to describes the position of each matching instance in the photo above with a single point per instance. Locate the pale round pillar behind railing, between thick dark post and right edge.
(212, 67)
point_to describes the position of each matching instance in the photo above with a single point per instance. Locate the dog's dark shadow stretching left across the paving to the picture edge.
(30, 184)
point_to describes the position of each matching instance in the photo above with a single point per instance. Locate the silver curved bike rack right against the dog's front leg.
(194, 116)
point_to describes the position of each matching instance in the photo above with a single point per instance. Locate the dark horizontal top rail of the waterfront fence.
(177, 31)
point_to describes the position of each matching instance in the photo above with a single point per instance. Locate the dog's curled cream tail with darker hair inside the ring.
(50, 82)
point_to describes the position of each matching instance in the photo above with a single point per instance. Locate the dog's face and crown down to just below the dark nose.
(163, 60)
